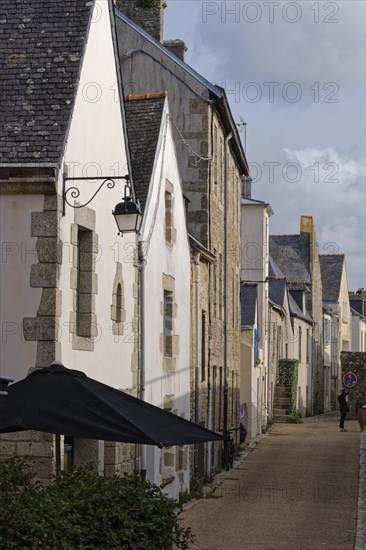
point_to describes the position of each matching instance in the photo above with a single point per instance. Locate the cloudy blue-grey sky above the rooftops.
(295, 73)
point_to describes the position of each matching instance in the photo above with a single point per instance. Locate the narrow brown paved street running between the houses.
(298, 489)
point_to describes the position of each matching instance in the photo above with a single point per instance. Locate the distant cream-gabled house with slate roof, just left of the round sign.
(336, 295)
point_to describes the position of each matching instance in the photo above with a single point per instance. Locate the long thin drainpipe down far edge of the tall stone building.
(226, 292)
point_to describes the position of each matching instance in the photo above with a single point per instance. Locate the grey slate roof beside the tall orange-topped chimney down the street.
(292, 255)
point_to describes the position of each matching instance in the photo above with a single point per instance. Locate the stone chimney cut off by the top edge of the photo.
(147, 14)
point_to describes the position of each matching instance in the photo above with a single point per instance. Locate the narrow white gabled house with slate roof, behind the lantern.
(165, 269)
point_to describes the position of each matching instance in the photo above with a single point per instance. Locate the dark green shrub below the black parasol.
(83, 510)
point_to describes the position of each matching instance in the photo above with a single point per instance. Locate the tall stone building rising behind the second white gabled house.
(212, 165)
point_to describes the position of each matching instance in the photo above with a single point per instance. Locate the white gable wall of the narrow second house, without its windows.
(174, 261)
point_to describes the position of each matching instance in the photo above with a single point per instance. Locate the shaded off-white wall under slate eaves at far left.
(17, 298)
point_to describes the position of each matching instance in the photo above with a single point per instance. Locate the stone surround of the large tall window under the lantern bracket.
(85, 329)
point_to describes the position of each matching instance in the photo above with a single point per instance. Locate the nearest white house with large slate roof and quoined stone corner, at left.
(66, 292)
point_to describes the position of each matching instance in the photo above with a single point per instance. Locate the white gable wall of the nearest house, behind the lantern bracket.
(96, 146)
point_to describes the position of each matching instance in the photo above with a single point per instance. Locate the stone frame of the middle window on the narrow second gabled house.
(169, 362)
